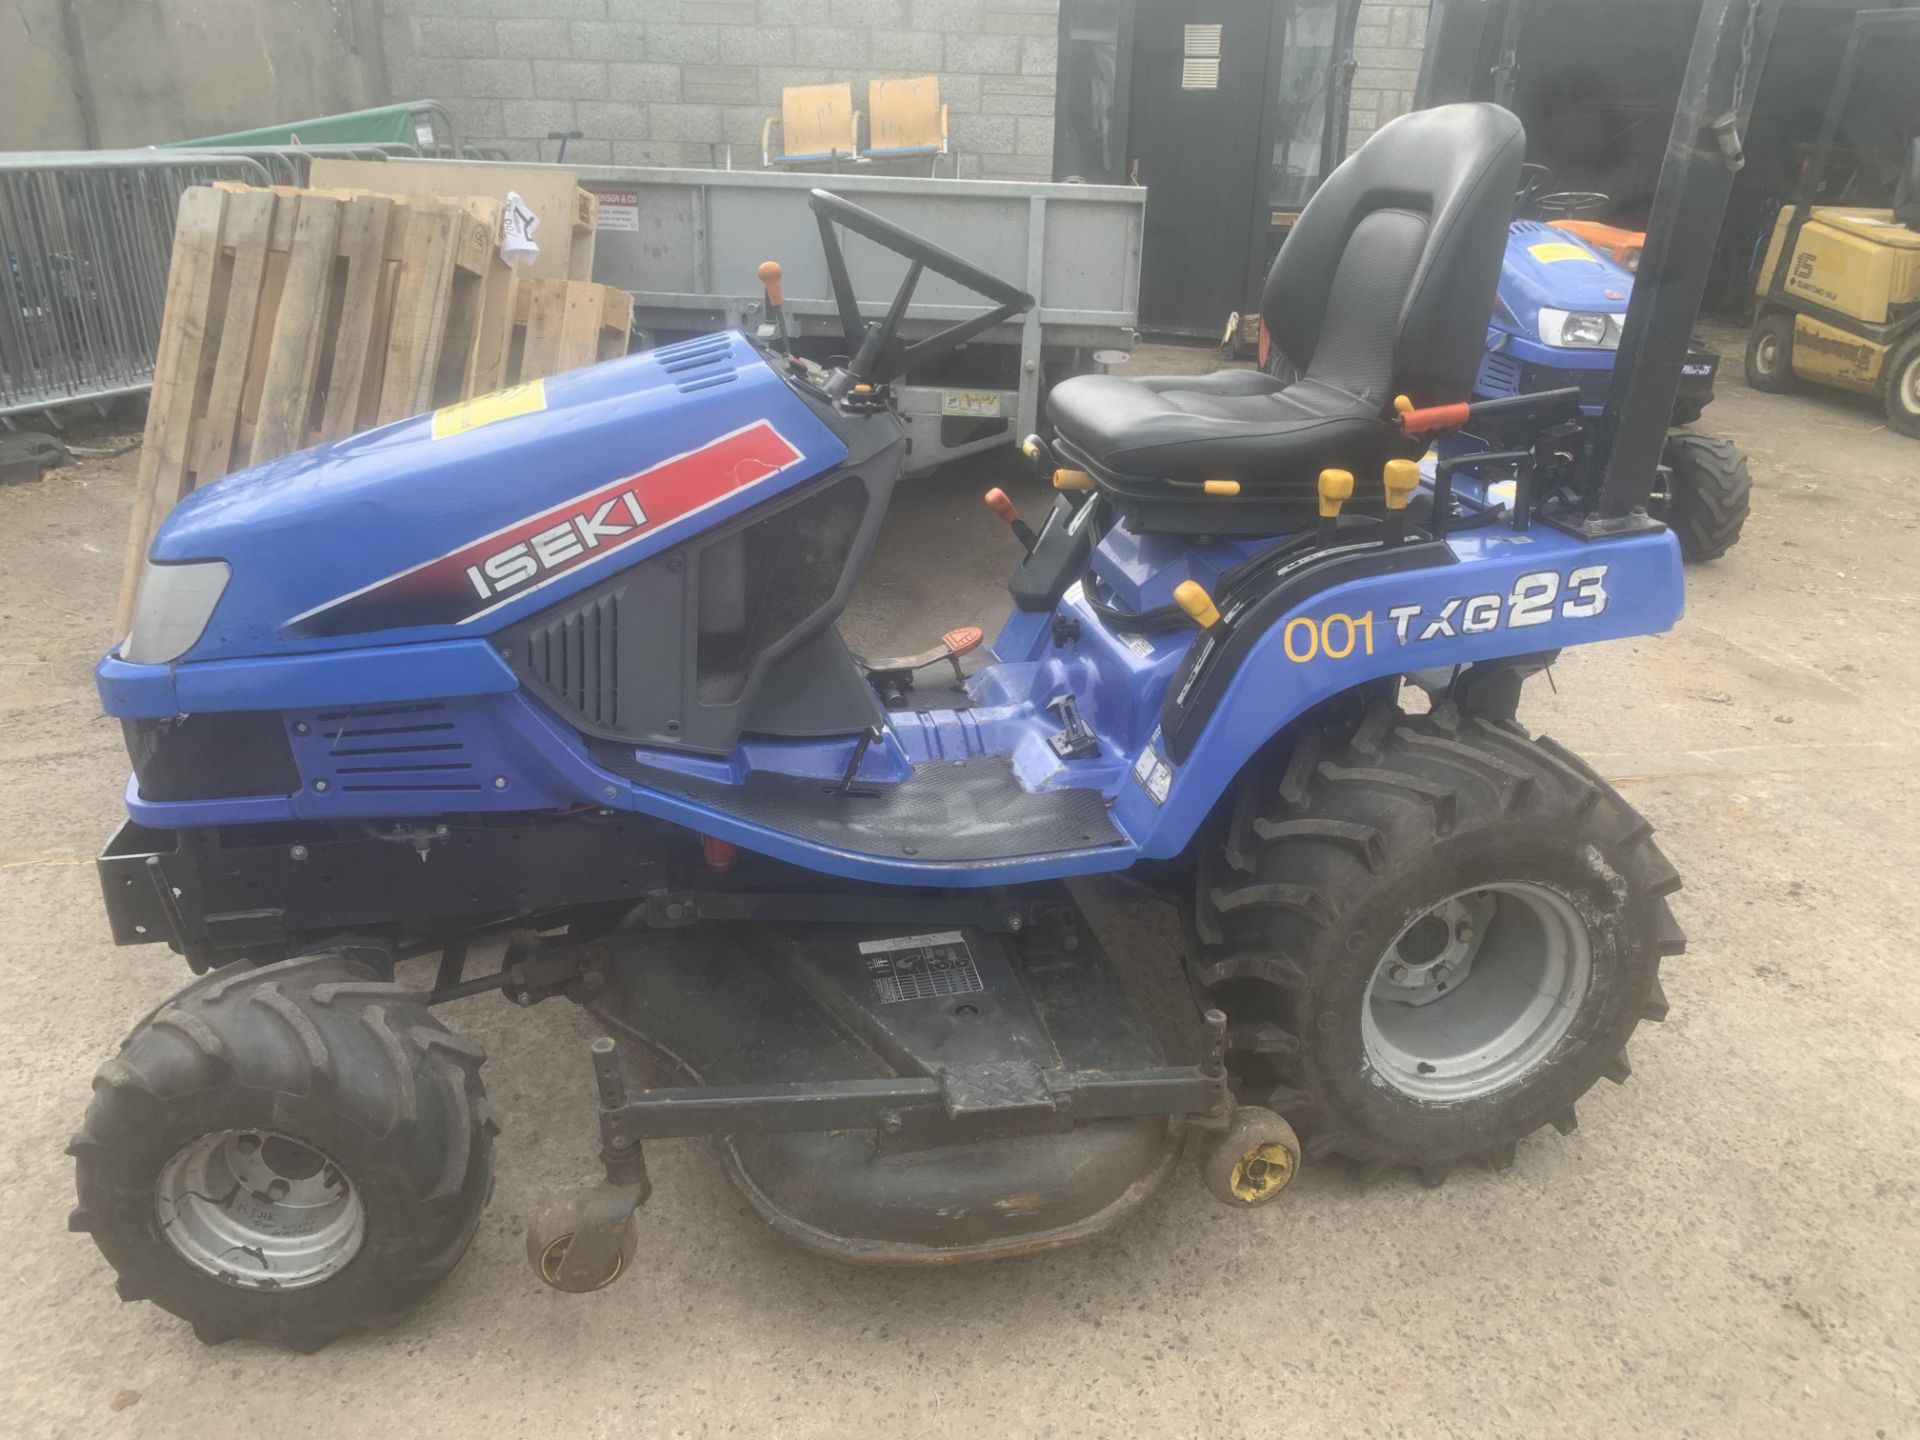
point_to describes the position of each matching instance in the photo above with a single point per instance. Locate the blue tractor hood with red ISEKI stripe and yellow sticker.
(464, 521)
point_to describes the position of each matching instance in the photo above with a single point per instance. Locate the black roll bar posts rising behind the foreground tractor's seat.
(1472, 51)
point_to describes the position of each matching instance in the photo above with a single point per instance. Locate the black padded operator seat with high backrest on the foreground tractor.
(1383, 289)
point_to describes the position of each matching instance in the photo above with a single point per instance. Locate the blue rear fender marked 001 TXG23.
(1510, 596)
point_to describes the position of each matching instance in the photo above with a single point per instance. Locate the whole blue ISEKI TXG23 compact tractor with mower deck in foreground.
(544, 696)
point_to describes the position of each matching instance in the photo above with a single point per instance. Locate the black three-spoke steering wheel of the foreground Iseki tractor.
(876, 356)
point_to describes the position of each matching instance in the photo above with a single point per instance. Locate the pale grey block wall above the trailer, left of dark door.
(673, 82)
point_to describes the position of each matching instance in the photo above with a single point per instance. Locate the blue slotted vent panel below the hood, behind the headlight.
(385, 750)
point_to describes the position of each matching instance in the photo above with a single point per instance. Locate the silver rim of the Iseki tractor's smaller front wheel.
(260, 1211)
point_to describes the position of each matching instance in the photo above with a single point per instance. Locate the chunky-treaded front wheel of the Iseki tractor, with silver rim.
(289, 1155)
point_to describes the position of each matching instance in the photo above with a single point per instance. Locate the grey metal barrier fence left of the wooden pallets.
(85, 243)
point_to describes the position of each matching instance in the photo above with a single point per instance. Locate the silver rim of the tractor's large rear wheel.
(1477, 992)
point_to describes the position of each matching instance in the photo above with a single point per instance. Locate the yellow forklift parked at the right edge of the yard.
(1840, 287)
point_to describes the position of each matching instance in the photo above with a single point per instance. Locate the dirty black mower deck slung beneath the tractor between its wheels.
(905, 1099)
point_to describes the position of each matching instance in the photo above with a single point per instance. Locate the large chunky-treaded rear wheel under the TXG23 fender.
(1431, 938)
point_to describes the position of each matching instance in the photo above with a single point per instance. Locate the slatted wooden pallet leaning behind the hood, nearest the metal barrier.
(297, 318)
